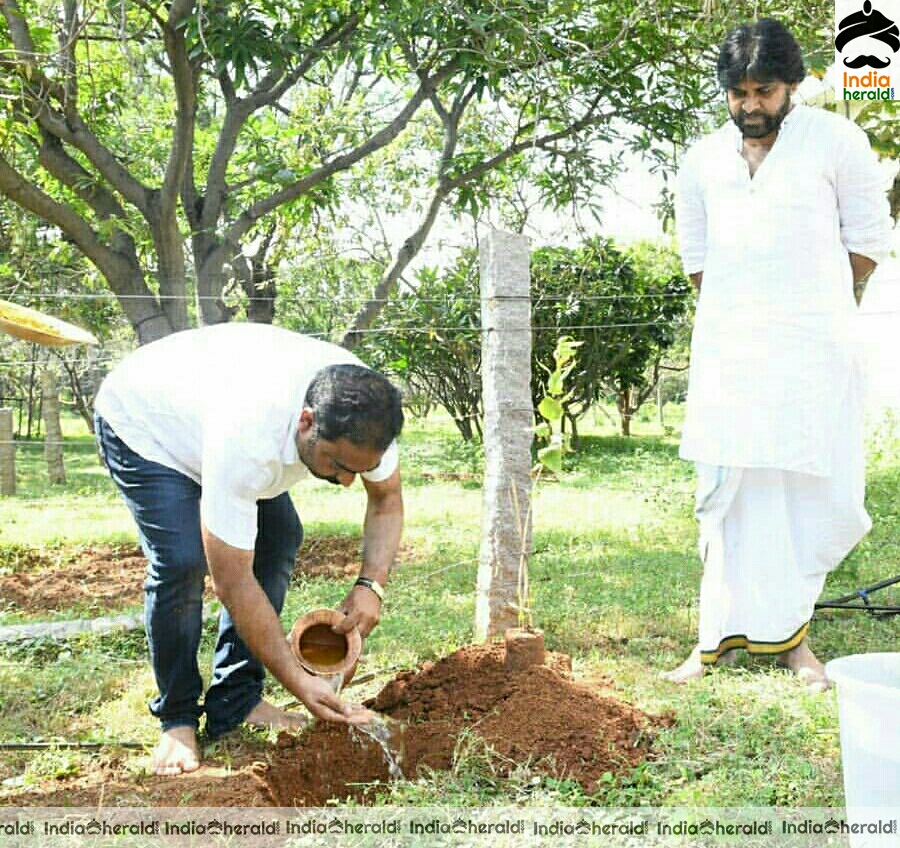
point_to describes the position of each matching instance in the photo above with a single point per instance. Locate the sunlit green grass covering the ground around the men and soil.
(615, 577)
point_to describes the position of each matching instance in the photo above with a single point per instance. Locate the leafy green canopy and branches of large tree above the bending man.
(182, 148)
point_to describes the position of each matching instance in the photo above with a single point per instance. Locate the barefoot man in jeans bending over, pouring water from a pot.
(204, 432)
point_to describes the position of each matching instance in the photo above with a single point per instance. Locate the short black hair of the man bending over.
(355, 403)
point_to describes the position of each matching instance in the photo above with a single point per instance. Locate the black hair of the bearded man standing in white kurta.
(764, 51)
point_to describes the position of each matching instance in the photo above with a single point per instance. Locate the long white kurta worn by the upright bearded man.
(774, 338)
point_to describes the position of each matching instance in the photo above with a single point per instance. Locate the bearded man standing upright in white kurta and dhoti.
(781, 219)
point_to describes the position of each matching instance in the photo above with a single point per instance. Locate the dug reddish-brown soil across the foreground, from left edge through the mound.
(464, 705)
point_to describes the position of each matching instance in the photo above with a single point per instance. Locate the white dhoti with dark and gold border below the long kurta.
(769, 538)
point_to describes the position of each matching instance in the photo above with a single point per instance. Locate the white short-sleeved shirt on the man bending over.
(221, 404)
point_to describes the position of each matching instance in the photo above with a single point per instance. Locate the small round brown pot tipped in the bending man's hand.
(323, 652)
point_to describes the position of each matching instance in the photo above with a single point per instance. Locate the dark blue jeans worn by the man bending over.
(165, 505)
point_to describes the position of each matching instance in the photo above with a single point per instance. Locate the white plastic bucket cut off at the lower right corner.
(868, 687)
